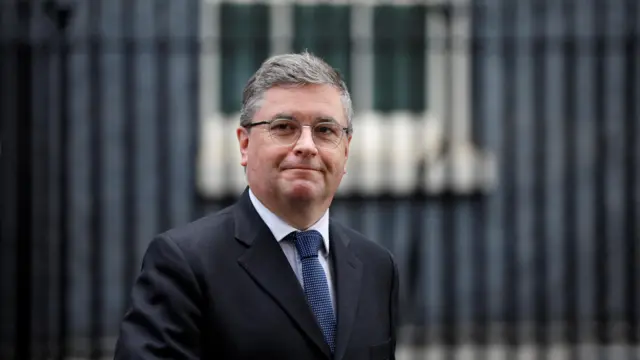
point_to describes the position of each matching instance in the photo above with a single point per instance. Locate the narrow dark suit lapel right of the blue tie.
(348, 270)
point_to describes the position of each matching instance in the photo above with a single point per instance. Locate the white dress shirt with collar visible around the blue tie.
(280, 229)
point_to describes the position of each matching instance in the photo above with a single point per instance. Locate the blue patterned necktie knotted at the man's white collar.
(316, 287)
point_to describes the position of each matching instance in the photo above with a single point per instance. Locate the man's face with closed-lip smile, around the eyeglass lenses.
(301, 171)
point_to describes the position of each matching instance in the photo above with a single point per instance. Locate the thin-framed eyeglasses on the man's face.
(287, 132)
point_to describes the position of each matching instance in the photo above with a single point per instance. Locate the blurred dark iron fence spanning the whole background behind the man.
(111, 112)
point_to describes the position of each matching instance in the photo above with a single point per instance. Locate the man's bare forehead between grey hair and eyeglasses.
(306, 102)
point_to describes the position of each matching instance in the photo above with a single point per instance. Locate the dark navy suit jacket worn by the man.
(221, 288)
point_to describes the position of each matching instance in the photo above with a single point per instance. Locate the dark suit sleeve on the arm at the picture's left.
(164, 317)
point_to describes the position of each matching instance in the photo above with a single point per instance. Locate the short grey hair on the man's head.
(291, 69)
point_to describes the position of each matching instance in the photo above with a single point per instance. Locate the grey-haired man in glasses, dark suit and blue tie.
(272, 276)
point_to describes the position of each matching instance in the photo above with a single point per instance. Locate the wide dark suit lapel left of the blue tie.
(266, 264)
